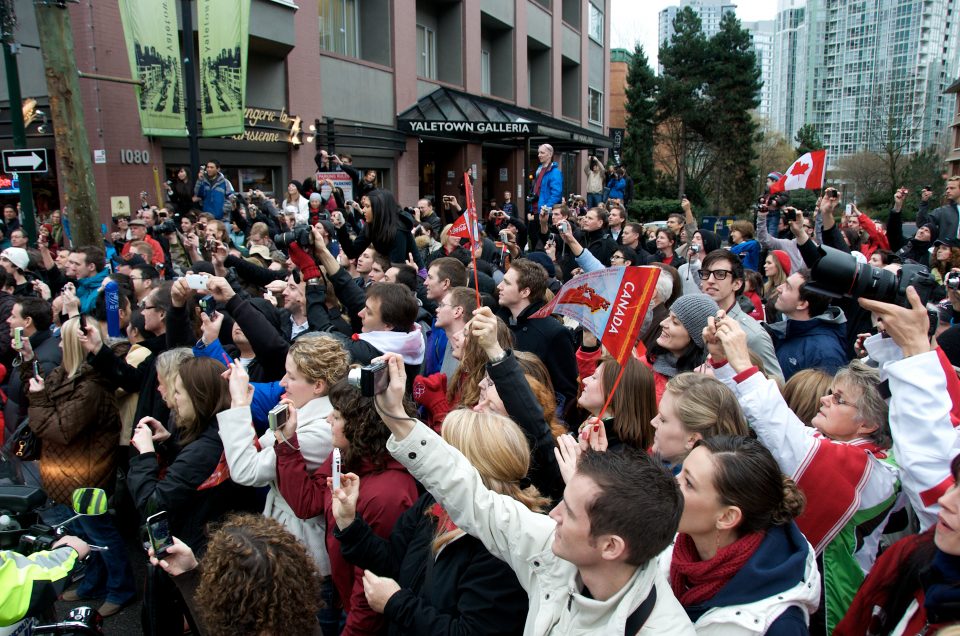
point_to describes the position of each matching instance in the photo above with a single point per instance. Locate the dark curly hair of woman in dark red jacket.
(363, 428)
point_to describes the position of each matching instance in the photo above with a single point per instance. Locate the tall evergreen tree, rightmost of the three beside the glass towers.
(733, 92)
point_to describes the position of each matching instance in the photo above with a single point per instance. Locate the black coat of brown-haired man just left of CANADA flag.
(553, 344)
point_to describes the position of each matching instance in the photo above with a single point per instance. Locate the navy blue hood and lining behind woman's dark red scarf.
(778, 565)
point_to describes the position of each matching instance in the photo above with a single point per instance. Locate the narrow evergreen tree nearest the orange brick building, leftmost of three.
(641, 108)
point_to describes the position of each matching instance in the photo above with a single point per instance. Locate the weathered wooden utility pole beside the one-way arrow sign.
(69, 129)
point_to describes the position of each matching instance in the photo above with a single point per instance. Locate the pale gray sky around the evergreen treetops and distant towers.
(637, 21)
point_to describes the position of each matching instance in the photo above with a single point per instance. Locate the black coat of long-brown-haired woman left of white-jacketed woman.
(189, 510)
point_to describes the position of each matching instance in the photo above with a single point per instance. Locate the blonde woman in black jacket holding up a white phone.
(466, 589)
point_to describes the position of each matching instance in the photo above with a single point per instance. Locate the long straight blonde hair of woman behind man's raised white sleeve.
(498, 449)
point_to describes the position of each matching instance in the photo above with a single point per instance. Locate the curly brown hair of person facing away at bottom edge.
(256, 578)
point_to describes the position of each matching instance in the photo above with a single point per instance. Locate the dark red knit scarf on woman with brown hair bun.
(695, 581)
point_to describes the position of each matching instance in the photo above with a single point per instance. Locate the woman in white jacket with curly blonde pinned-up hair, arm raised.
(313, 365)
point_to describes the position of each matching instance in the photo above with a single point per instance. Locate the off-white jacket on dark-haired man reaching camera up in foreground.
(523, 539)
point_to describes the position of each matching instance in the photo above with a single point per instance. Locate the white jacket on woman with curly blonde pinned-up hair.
(252, 467)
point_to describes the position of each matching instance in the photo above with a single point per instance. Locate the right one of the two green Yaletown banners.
(223, 26)
